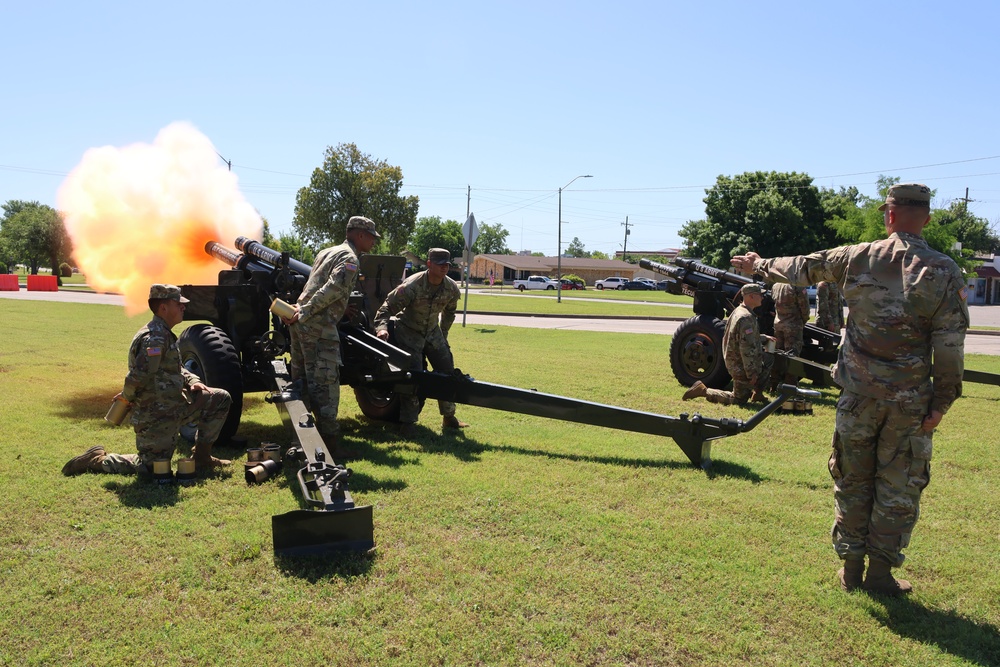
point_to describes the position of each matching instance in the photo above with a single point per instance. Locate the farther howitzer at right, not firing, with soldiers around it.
(696, 351)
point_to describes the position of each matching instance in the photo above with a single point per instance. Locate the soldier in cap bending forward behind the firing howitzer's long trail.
(423, 308)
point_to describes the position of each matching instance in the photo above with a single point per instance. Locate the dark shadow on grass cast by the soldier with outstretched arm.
(978, 643)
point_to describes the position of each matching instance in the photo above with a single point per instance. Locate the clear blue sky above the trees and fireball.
(654, 99)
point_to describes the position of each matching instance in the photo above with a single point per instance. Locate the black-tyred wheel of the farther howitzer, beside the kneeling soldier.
(696, 352)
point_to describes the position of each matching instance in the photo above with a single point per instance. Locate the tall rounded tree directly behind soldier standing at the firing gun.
(353, 183)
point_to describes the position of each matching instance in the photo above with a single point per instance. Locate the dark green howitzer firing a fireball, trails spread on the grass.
(243, 347)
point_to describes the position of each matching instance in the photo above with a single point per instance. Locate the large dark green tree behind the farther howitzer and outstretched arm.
(772, 213)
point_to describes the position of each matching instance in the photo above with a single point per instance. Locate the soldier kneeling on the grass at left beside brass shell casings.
(164, 396)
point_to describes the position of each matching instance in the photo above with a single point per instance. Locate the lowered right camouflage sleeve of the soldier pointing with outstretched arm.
(948, 328)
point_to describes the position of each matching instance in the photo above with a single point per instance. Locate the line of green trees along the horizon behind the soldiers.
(772, 213)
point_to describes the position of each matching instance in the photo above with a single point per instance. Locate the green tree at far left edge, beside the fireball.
(34, 233)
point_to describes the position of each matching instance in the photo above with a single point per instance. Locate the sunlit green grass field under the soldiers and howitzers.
(520, 541)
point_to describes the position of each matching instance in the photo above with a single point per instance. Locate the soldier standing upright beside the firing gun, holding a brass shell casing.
(315, 341)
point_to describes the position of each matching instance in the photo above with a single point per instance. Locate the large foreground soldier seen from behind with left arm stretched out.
(899, 369)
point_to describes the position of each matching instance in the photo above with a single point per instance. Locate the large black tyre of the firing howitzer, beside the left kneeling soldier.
(207, 352)
